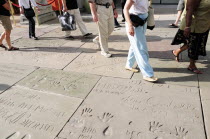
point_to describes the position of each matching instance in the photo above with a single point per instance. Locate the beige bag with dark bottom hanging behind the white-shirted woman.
(151, 18)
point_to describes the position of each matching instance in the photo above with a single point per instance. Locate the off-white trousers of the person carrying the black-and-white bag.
(79, 22)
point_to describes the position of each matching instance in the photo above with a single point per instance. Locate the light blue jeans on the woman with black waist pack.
(138, 50)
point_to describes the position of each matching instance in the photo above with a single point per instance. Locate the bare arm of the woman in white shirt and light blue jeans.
(126, 9)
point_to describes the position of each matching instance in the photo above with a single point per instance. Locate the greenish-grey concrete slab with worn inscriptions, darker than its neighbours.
(61, 82)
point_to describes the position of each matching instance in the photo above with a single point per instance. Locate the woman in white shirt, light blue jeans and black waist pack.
(138, 50)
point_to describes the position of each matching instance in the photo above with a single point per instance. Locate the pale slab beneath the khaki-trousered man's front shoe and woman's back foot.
(95, 63)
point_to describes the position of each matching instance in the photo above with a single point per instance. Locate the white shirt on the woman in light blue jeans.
(139, 7)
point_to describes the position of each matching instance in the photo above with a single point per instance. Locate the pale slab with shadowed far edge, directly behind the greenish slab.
(50, 57)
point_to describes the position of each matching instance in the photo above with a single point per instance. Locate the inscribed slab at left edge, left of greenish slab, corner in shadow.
(12, 73)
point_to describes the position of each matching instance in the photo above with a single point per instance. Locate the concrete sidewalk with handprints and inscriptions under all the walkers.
(64, 89)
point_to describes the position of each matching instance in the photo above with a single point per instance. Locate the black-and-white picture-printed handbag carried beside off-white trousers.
(67, 22)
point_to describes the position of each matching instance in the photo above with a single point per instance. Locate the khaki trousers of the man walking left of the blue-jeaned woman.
(105, 25)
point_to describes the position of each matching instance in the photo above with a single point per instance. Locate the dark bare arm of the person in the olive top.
(191, 8)
